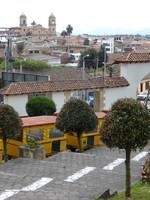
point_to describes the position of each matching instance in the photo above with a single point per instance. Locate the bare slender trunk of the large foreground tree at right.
(128, 175)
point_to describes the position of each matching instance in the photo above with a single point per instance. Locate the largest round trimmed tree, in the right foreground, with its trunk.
(126, 126)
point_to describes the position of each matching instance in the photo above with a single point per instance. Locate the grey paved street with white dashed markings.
(68, 175)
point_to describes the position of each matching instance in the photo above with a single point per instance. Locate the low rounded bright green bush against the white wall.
(40, 105)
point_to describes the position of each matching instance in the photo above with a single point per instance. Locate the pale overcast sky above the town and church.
(85, 16)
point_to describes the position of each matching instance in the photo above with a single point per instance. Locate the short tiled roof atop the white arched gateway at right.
(134, 57)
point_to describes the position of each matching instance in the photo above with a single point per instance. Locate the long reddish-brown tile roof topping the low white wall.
(66, 85)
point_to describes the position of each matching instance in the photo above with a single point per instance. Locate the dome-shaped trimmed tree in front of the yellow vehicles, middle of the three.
(76, 116)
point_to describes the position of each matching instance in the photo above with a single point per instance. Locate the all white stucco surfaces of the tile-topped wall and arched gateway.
(134, 73)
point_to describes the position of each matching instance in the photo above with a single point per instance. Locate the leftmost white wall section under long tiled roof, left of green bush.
(18, 102)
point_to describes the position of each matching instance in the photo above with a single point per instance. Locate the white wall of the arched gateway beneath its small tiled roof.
(134, 72)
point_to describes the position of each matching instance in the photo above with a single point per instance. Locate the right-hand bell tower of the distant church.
(52, 25)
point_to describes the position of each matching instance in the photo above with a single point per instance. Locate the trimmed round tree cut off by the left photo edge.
(10, 124)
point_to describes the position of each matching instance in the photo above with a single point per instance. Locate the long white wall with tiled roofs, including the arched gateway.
(133, 67)
